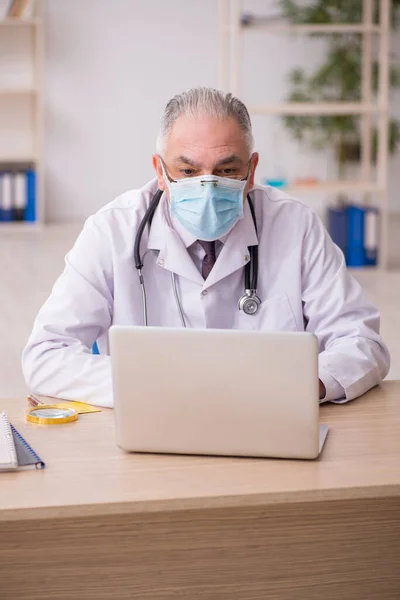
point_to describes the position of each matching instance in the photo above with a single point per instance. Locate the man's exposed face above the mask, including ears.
(206, 146)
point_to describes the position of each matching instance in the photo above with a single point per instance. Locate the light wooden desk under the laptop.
(101, 524)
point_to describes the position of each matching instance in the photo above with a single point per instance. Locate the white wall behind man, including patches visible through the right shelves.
(111, 65)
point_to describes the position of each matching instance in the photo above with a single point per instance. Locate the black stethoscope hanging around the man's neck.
(249, 303)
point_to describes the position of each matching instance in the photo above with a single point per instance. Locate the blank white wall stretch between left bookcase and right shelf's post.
(111, 66)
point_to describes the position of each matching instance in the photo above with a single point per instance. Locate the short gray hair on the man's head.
(204, 101)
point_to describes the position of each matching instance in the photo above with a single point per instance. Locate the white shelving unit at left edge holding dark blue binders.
(27, 102)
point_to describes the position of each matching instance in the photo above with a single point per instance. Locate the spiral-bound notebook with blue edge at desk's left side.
(15, 451)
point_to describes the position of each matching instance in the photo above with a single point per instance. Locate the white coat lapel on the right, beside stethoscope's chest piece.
(235, 254)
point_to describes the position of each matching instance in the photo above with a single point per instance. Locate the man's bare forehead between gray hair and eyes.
(206, 137)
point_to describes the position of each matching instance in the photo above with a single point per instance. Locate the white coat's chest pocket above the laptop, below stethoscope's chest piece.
(275, 314)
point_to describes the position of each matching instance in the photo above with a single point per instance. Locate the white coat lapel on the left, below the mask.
(173, 254)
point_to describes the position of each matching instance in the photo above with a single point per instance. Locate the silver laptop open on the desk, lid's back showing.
(216, 392)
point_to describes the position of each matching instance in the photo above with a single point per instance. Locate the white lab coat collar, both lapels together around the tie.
(173, 246)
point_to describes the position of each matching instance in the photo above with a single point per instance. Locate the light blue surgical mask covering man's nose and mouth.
(207, 206)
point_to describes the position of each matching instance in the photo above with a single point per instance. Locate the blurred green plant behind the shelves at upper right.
(338, 79)
